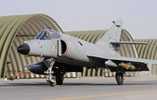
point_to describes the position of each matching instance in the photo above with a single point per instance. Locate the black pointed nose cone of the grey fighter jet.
(23, 49)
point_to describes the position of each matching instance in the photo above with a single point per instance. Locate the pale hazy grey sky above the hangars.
(139, 16)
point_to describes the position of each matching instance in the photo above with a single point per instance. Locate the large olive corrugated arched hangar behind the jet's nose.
(13, 31)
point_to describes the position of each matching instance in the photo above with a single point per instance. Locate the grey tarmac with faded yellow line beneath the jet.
(91, 88)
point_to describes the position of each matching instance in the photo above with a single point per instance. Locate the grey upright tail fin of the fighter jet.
(112, 35)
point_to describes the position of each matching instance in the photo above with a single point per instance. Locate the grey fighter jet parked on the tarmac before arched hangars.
(63, 53)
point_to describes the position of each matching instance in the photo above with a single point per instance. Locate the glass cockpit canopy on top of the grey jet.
(48, 34)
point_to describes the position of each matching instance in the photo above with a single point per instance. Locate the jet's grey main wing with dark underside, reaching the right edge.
(139, 64)
